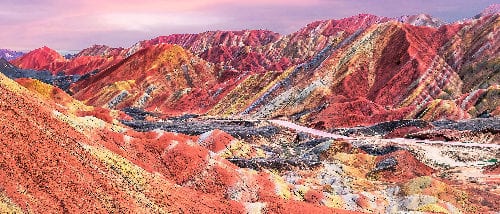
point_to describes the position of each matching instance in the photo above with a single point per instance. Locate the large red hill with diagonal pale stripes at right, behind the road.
(389, 71)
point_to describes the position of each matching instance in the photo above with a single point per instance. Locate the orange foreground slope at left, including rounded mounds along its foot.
(56, 161)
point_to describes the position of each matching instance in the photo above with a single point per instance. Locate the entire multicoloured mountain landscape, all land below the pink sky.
(361, 114)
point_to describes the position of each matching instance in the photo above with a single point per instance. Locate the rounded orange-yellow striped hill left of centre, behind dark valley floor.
(162, 77)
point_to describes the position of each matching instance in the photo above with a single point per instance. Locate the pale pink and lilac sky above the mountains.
(74, 25)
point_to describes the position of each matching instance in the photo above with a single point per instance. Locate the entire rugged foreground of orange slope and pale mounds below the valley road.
(61, 155)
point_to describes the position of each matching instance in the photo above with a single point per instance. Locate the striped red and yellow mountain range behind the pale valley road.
(359, 70)
